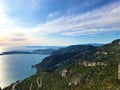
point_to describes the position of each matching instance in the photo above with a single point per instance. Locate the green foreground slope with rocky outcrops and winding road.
(73, 77)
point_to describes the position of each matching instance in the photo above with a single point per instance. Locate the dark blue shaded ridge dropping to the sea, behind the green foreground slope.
(65, 56)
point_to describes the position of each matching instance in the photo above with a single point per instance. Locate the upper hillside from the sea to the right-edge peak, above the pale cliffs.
(71, 54)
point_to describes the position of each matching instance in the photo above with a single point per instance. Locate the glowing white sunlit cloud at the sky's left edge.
(10, 30)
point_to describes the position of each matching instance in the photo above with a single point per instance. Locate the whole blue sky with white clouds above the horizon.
(58, 22)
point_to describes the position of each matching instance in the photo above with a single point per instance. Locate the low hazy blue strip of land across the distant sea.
(37, 51)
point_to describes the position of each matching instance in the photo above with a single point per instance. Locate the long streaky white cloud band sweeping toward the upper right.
(100, 20)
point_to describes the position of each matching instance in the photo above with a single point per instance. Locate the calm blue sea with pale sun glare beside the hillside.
(17, 67)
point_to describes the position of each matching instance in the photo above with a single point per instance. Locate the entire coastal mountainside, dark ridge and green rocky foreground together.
(76, 68)
